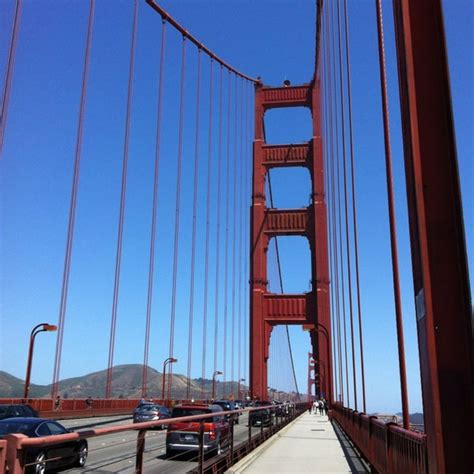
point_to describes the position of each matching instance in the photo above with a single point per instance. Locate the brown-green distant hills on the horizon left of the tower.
(126, 383)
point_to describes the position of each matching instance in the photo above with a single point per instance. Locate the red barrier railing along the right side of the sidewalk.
(388, 447)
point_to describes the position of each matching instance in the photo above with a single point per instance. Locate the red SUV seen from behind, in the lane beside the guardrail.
(184, 436)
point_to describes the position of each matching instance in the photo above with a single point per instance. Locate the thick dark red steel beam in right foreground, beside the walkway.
(441, 281)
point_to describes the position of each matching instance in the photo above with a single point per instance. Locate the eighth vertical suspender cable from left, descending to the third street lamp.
(218, 224)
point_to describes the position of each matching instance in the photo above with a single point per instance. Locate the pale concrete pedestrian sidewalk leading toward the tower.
(309, 444)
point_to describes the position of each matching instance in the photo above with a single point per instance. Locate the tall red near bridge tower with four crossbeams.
(309, 309)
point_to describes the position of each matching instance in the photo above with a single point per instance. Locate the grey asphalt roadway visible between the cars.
(116, 452)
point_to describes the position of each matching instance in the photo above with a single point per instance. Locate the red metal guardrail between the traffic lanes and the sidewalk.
(17, 444)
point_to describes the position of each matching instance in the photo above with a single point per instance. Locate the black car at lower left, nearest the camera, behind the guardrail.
(68, 453)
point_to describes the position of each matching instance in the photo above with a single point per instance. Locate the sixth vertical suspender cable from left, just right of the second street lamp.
(193, 237)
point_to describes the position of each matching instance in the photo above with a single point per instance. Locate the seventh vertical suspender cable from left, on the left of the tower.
(207, 239)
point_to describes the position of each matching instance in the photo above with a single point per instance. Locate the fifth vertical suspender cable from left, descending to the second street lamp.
(177, 212)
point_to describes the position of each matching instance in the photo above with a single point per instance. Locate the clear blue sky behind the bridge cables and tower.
(271, 39)
